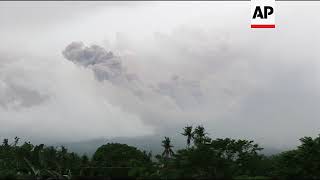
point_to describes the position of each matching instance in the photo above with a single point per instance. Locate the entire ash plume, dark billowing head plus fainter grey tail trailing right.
(107, 66)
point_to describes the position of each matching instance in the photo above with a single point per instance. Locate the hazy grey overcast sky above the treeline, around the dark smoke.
(181, 63)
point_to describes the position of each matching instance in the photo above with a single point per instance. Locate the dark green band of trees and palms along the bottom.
(202, 158)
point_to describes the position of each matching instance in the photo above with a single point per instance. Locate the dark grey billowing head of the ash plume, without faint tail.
(105, 65)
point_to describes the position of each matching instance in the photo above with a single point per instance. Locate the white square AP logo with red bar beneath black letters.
(262, 14)
